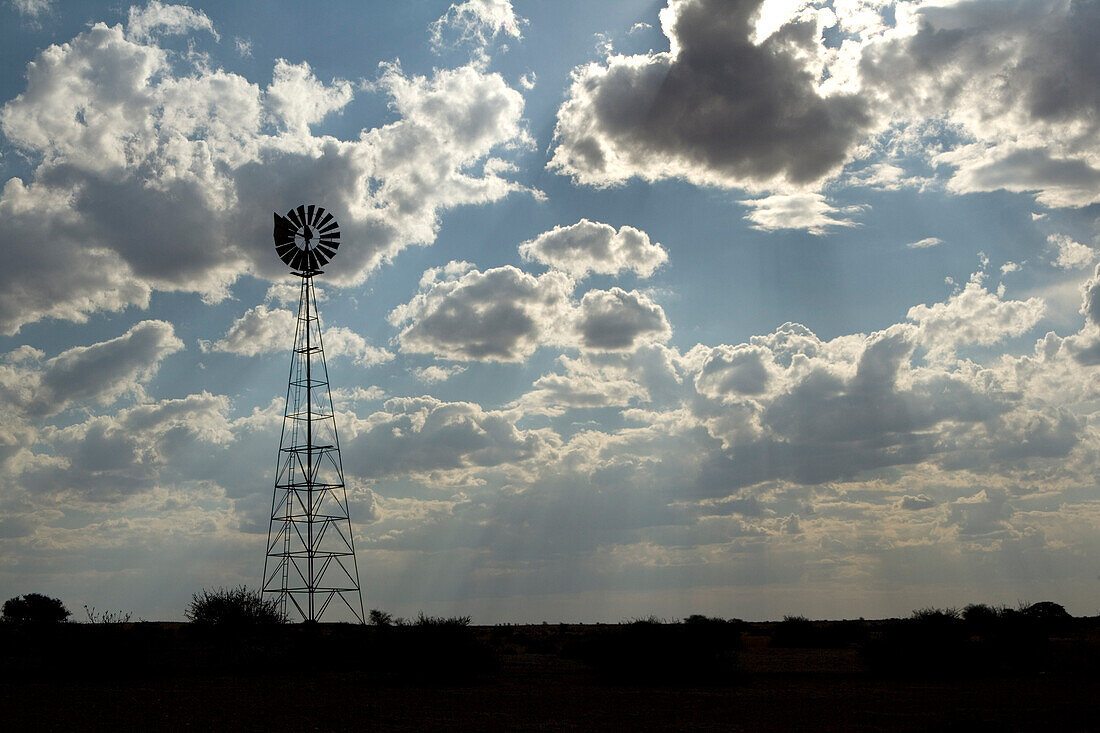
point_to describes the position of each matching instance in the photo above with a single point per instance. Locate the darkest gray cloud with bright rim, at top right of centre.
(718, 108)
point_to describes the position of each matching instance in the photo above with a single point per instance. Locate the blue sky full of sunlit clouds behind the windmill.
(718, 307)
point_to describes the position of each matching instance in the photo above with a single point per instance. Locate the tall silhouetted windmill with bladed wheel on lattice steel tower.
(311, 552)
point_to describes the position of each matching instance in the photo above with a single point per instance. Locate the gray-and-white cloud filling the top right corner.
(1020, 79)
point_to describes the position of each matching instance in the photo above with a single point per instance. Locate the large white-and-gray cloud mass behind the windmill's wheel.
(130, 151)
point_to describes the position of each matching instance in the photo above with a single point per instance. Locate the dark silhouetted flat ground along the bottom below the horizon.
(823, 676)
